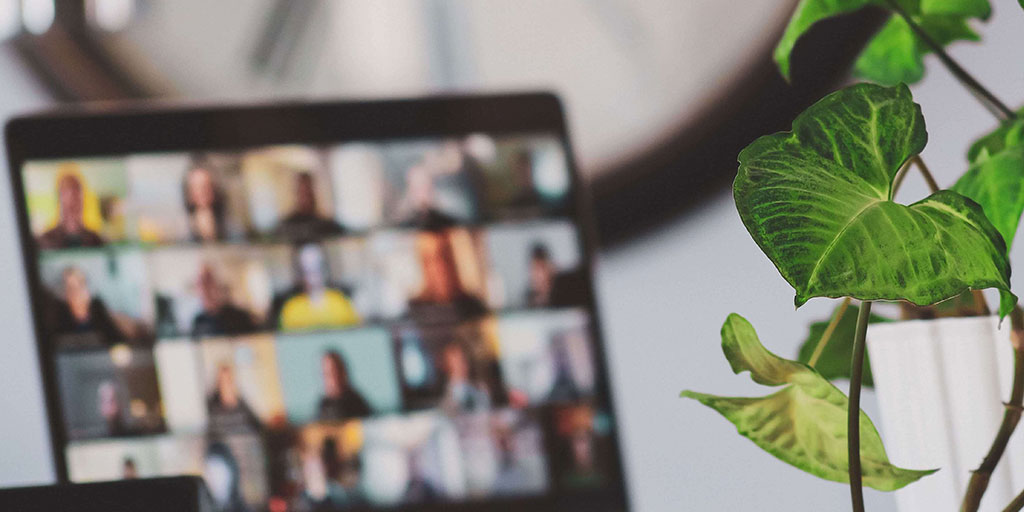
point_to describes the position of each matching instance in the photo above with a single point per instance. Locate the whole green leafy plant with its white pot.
(820, 203)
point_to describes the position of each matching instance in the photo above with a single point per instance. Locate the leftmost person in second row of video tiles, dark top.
(78, 313)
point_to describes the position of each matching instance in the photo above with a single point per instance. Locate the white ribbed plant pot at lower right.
(942, 386)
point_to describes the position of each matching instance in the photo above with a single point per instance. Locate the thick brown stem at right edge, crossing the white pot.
(1011, 417)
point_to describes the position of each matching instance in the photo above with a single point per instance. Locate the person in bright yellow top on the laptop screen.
(316, 305)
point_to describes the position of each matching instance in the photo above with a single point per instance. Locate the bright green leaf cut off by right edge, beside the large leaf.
(997, 183)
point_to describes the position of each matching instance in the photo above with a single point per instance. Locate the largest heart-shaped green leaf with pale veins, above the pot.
(819, 202)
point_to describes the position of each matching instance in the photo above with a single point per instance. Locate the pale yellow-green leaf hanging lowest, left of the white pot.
(805, 423)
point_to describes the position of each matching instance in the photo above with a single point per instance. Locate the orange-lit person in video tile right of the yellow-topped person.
(443, 291)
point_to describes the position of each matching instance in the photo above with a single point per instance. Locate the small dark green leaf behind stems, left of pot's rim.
(835, 362)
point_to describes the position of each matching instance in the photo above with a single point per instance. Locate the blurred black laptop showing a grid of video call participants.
(320, 307)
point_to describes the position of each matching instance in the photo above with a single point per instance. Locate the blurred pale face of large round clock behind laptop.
(629, 71)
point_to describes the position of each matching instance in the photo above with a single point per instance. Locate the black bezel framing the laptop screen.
(118, 131)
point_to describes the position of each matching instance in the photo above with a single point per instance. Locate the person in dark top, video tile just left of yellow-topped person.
(220, 317)
